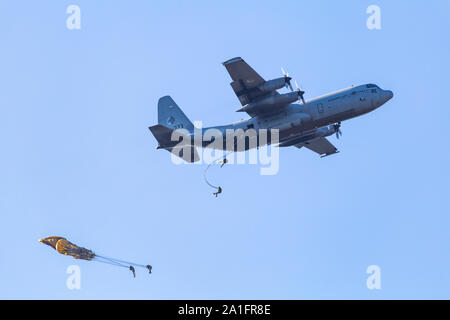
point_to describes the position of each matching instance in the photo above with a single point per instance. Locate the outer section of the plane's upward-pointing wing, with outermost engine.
(245, 81)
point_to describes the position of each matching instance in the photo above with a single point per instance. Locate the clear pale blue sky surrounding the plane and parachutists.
(77, 158)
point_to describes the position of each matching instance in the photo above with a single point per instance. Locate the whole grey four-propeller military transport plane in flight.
(305, 124)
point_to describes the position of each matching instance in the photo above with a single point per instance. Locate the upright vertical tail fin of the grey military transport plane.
(171, 116)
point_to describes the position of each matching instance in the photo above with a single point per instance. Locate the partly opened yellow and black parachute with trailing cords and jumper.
(63, 246)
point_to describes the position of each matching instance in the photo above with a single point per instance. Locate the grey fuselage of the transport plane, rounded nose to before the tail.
(297, 122)
